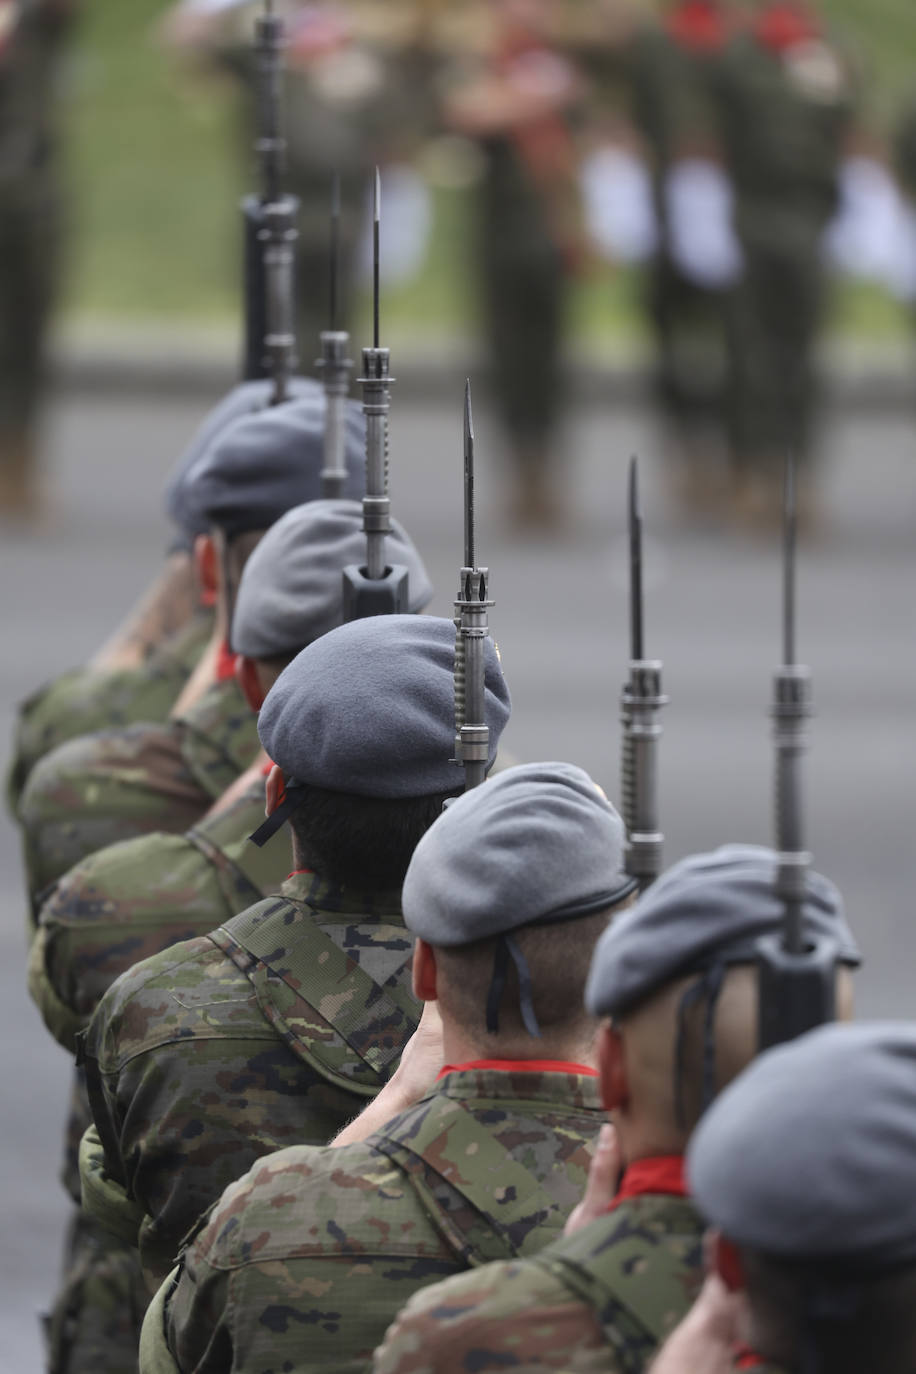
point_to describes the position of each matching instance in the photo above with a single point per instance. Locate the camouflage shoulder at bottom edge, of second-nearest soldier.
(499, 1317)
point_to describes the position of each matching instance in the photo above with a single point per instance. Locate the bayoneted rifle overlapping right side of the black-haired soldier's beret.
(472, 732)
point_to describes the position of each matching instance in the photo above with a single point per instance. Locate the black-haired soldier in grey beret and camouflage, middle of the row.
(301, 1002)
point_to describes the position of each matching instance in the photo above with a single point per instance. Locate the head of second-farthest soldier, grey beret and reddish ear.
(253, 471)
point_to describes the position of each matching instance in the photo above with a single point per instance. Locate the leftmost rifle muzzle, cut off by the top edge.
(270, 229)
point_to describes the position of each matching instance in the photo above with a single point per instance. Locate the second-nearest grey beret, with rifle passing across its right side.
(705, 910)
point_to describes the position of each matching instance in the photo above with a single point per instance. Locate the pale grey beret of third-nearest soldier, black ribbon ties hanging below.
(536, 844)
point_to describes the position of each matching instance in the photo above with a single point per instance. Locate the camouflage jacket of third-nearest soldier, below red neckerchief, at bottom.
(306, 1262)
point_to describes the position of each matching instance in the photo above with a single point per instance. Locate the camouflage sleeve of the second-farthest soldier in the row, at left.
(122, 784)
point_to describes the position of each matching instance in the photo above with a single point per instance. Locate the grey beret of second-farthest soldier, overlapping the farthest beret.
(262, 465)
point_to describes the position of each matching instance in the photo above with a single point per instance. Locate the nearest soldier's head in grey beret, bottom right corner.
(805, 1169)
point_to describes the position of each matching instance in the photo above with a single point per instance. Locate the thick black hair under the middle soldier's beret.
(362, 842)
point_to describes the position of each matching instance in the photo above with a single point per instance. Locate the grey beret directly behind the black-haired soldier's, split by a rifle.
(292, 590)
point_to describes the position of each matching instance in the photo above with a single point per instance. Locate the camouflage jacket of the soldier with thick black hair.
(274, 1030)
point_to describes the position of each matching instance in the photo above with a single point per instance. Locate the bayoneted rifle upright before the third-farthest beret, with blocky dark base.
(378, 589)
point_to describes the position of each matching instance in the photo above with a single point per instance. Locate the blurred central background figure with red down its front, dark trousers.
(520, 98)
